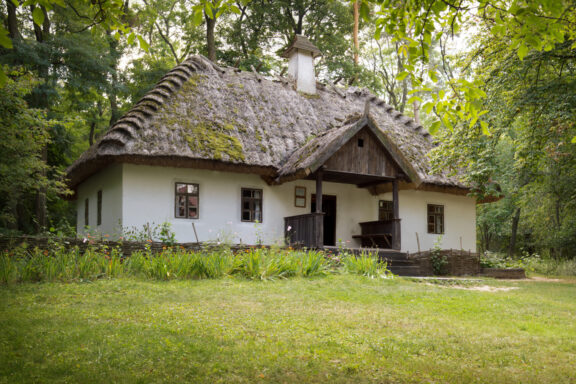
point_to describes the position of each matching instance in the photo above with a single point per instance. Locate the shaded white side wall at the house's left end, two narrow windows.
(109, 181)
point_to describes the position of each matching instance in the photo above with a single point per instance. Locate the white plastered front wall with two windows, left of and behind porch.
(148, 194)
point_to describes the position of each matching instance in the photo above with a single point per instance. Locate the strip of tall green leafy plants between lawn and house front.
(63, 264)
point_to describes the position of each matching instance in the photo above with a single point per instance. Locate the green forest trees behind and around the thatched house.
(493, 80)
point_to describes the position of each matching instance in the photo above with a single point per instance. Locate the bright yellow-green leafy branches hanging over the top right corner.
(416, 25)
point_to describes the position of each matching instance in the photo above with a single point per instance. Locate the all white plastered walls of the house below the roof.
(135, 195)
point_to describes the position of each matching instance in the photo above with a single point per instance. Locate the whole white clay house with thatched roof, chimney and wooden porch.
(251, 159)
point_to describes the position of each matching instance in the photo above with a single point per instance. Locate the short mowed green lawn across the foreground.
(339, 328)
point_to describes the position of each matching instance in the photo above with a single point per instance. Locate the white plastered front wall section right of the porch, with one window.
(459, 220)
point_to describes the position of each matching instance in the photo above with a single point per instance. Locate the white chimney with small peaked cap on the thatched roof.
(301, 54)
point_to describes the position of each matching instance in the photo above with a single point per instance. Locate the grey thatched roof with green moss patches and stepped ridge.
(205, 116)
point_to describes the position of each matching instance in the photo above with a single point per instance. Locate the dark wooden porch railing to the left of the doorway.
(305, 230)
